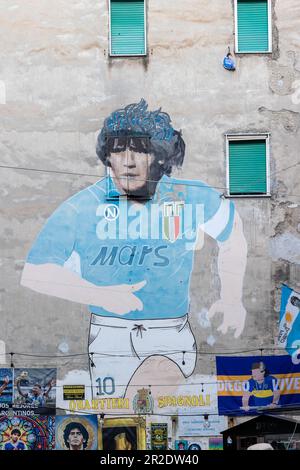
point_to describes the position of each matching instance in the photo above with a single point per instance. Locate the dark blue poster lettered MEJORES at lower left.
(35, 390)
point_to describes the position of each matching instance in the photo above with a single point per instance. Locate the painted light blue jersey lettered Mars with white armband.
(111, 242)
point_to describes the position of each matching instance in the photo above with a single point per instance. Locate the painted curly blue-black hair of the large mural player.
(143, 131)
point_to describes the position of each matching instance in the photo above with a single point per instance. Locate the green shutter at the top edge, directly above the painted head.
(127, 27)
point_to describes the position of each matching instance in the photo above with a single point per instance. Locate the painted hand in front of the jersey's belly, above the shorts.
(120, 299)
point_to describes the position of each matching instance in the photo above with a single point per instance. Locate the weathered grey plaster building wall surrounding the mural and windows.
(60, 84)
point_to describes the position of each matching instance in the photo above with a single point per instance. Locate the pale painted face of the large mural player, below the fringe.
(131, 171)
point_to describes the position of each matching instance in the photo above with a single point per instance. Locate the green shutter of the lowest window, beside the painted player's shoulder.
(247, 167)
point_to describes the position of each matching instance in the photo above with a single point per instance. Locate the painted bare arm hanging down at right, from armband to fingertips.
(231, 267)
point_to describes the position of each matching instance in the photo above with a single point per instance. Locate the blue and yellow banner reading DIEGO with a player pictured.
(253, 384)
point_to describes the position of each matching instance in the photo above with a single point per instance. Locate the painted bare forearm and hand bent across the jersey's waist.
(57, 281)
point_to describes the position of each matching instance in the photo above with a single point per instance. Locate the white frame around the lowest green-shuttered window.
(240, 137)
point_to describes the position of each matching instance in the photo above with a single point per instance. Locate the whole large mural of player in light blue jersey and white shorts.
(125, 247)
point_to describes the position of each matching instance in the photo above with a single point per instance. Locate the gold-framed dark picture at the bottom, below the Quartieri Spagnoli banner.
(122, 434)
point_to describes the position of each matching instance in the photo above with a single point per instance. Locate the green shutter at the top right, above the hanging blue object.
(253, 26)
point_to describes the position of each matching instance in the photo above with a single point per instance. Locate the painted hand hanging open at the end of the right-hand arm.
(234, 316)
